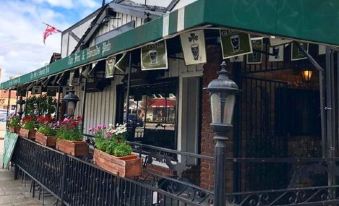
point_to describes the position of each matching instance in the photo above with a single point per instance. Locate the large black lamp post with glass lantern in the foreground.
(222, 95)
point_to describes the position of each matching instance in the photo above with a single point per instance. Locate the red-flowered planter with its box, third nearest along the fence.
(46, 132)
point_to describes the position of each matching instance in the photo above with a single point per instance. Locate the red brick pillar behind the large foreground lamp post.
(207, 144)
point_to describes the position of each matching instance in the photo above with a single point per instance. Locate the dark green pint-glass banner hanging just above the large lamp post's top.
(234, 43)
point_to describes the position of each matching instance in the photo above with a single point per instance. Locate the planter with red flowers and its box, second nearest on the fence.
(69, 138)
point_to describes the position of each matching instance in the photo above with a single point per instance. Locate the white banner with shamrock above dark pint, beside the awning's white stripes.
(193, 47)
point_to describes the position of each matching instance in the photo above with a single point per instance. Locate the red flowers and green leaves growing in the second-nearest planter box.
(69, 129)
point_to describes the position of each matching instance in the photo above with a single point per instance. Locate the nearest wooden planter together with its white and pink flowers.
(113, 154)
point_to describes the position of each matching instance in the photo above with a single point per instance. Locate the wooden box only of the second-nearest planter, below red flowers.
(74, 148)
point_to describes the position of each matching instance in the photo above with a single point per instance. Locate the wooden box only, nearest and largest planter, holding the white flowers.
(127, 166)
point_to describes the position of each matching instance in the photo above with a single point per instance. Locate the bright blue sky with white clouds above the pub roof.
(21, 28)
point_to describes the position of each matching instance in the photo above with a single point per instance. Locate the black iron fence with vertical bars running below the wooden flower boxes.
(76, 182)
